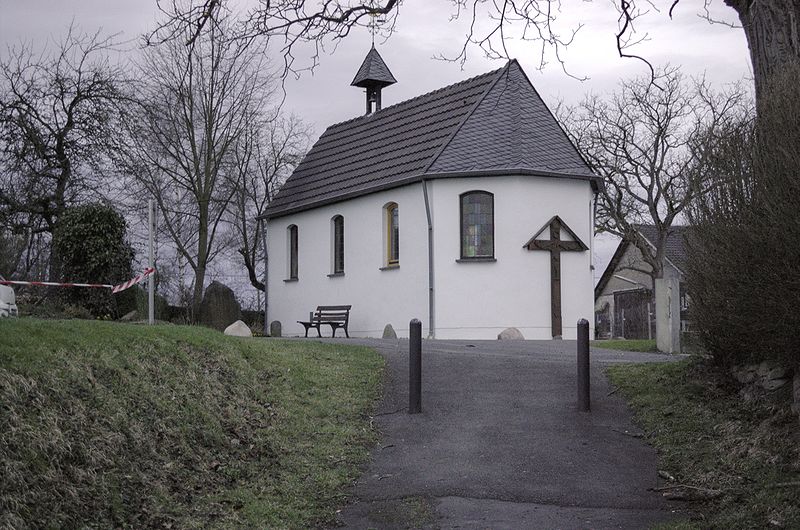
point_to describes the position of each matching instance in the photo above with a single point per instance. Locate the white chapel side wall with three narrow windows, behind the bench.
(378, 297)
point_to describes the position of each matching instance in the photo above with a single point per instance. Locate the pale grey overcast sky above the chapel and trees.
(424, 31)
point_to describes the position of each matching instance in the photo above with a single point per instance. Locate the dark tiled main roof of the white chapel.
(491, 124)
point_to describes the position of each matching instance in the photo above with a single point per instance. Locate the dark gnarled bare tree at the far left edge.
(57, 112)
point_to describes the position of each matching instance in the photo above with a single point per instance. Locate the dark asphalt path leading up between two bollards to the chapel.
(500, 443)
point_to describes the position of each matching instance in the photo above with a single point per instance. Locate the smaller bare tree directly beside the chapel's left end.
(265, 156)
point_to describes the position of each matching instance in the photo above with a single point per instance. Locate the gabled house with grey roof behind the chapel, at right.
(624, 303)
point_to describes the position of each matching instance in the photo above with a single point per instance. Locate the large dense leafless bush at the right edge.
(744, 266)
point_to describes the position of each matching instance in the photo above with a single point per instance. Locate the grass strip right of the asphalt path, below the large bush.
(740, 460)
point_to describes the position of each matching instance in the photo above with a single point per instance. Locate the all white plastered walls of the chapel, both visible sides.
(473, 300)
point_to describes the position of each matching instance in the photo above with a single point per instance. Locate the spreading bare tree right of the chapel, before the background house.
(651, 145)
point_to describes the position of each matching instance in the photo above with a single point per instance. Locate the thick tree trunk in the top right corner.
(772, 28)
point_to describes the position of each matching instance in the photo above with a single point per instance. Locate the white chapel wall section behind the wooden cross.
(478, 300)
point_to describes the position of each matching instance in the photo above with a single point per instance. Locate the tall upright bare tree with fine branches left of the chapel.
(195, 104)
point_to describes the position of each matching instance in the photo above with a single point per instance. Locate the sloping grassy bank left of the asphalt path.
(109, 425)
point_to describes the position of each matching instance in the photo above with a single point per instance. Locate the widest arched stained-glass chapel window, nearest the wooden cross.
(477, 225)
